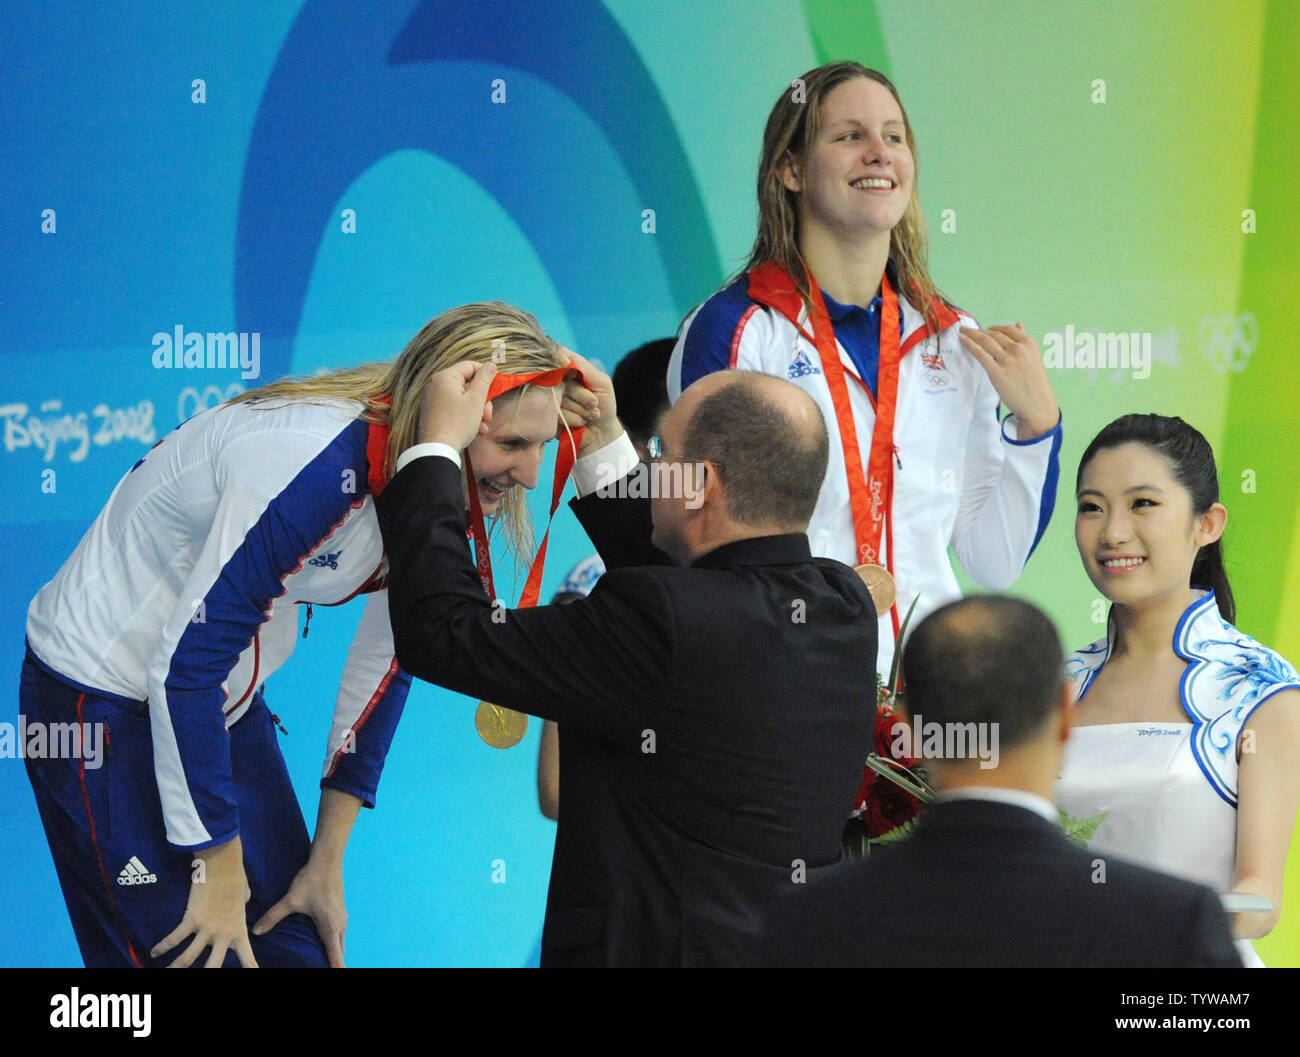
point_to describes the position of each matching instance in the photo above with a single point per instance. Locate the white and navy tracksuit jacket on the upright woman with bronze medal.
(964, 483)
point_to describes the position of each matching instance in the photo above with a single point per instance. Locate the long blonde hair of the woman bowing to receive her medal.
(486, 332)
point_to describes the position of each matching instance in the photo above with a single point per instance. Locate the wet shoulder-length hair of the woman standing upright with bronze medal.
(792, 128)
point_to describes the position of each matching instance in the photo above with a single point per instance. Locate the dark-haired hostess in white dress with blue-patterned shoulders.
(1172, 742)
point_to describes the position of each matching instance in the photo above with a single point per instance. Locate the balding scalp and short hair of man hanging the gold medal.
(769, 440)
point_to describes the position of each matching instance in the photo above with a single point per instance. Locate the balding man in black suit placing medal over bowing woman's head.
(714, 714)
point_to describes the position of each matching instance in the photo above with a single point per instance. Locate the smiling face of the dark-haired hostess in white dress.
(1136, 527)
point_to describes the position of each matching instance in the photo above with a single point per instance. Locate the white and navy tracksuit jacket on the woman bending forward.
(184, 594)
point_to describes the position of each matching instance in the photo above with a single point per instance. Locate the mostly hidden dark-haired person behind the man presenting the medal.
(642, 389)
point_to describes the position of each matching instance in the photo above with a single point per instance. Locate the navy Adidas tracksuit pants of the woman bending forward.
(125, 886)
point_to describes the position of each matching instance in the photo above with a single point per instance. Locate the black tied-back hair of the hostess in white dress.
(1193, 461)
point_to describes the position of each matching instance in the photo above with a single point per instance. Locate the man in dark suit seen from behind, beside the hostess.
(989, 878)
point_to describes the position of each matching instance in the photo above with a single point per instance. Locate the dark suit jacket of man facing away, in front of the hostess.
(983, 885)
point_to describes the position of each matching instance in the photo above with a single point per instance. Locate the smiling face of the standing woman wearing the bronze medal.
(857, 176)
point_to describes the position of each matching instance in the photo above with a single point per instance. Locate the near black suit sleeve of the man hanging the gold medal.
(601, 662)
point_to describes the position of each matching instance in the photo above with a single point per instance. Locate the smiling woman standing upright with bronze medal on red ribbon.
(838, 298)
